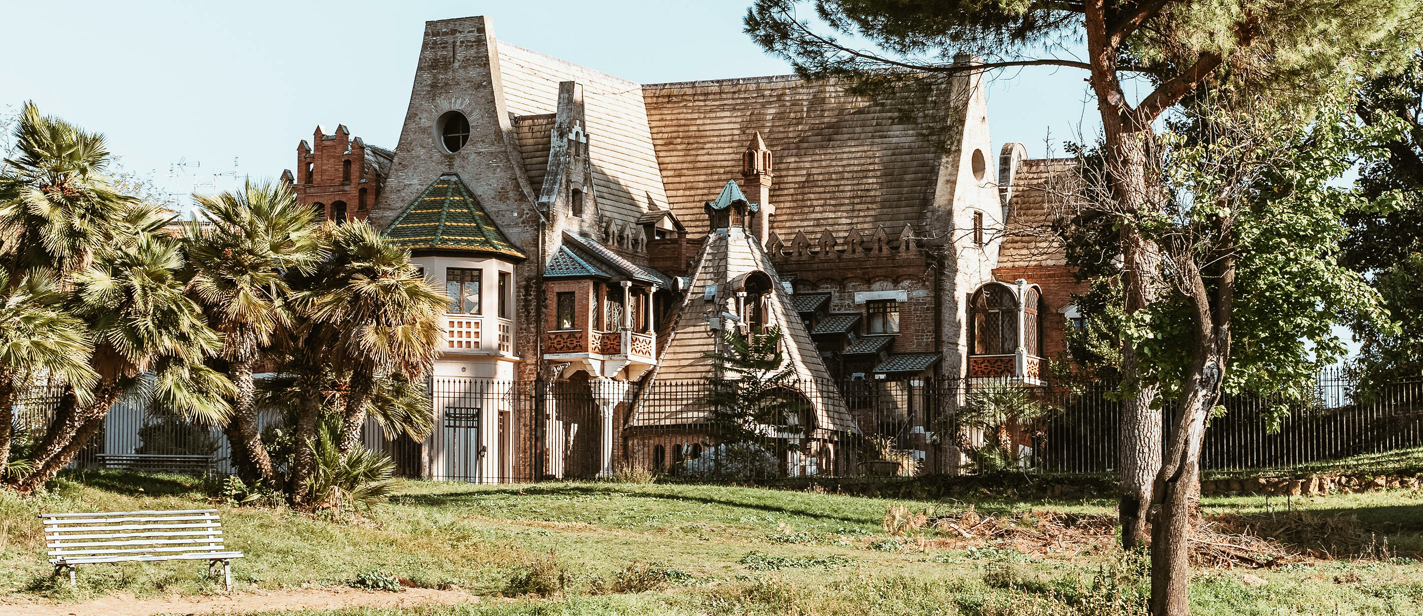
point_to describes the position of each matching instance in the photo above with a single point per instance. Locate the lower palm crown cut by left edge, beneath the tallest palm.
(38, 339)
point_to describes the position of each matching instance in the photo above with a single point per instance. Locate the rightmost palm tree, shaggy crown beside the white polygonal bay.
(371, 316)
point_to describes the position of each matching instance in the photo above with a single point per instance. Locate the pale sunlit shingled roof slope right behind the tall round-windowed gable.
(626, 170)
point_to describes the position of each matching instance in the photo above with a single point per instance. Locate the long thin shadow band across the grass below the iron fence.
(566, 490)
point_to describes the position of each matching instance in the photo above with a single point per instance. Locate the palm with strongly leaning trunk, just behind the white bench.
(142, 323)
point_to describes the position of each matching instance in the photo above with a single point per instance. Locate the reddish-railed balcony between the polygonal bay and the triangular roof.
(613, 354)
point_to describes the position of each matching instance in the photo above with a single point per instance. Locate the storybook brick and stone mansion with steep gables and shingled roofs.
(603, 235)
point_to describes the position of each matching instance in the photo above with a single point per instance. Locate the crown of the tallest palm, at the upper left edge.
(58, 207)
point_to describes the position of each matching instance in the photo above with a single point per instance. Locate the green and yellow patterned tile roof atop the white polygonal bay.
(447, 216)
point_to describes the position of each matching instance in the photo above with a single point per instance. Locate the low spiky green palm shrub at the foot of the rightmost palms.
(350, 481)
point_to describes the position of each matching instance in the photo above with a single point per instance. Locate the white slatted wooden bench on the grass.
(146, 535)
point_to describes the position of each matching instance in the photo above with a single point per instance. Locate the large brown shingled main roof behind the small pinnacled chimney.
(840, 163)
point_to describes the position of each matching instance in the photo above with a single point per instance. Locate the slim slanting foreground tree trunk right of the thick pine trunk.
(1176, 491)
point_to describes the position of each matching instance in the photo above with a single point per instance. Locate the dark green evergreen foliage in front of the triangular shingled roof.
(753, 394)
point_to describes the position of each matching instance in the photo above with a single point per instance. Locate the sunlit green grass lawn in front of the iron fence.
(702, 550)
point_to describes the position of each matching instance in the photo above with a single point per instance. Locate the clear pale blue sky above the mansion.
(234, 86)
